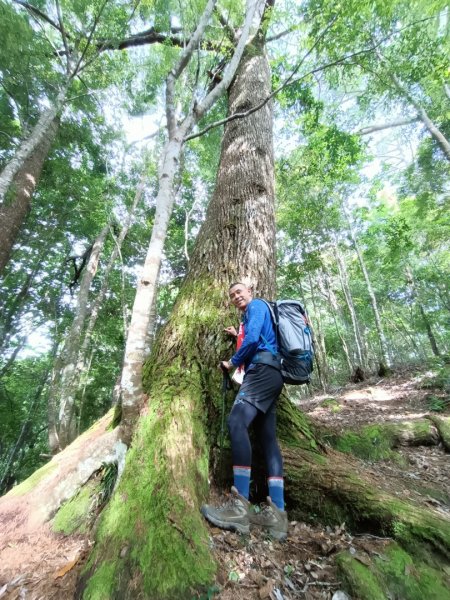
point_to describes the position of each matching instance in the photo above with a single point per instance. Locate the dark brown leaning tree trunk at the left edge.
(15, 206)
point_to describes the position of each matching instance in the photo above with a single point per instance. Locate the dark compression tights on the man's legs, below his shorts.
(241, 417)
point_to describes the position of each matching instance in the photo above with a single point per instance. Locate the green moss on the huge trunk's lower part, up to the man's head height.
(152, 535)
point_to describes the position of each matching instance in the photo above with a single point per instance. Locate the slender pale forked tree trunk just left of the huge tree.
(135, 350)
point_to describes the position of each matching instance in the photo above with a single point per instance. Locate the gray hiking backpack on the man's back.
(295, 340)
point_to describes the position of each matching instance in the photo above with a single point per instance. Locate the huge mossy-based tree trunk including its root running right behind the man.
(151, 540)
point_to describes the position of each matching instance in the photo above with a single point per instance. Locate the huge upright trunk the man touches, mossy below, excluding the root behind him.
(161, 548)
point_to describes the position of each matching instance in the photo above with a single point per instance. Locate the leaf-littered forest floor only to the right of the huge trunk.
(255, 568)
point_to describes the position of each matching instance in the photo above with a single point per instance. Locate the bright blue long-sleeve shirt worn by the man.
(257, 322)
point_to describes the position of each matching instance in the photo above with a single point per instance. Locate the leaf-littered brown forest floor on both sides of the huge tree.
(46, 565)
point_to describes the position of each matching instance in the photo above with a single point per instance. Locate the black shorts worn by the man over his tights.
(261, 387)
